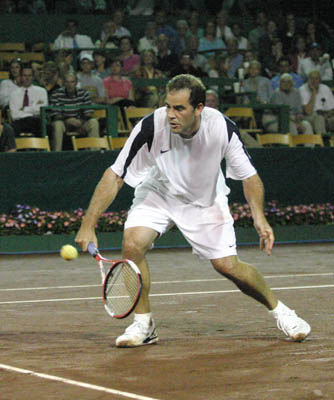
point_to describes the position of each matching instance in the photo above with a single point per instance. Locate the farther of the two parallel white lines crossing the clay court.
(165, 282)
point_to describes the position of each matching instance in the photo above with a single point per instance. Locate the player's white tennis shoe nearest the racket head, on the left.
(138, 333)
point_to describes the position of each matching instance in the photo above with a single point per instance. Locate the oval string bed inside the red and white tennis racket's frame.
(121, 289)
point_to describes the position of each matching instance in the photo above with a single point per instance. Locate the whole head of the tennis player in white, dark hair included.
(185, 99)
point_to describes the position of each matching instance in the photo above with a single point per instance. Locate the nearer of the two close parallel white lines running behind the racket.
(163, 294)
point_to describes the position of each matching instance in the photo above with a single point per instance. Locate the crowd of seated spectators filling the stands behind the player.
(279, 61)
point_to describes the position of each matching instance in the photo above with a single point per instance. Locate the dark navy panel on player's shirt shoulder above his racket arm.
(145, 135)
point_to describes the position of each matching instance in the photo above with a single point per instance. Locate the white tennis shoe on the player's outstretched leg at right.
(293, 326)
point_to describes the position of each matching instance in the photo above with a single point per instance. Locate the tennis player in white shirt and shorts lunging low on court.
(173, 159)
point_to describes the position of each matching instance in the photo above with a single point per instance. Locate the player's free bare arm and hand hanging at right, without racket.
(254, 193)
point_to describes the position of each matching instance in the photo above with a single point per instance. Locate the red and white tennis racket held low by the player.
(121, 284)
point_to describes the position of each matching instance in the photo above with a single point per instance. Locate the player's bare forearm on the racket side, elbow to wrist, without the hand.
(104, 194)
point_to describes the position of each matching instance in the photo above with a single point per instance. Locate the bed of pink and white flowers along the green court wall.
(26, 220)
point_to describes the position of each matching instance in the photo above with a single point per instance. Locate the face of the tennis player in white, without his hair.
(183, 118)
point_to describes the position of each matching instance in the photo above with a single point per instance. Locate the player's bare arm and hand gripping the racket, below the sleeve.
(104, 194)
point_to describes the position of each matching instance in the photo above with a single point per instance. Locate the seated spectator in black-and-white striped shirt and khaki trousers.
(78, 121)
